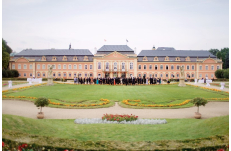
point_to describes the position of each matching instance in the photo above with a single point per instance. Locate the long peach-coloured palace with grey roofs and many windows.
(115, 61)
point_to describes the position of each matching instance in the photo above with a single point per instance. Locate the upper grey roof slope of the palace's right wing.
(176, 53)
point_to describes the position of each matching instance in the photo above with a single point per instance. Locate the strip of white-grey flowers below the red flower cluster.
(138, 121)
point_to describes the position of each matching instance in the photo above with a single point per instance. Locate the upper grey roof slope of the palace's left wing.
(54, 52)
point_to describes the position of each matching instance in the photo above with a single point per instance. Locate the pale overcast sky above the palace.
(182, 24)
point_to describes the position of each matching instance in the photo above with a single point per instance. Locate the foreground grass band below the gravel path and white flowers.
(175, 129)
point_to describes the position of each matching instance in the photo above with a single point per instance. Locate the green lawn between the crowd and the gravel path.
(149, 95)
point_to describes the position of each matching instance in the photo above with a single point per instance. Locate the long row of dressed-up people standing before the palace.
(117, 81)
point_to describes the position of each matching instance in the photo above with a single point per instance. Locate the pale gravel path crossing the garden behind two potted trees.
(28, 109)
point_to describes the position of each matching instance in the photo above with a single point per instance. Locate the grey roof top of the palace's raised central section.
(115, 48)
